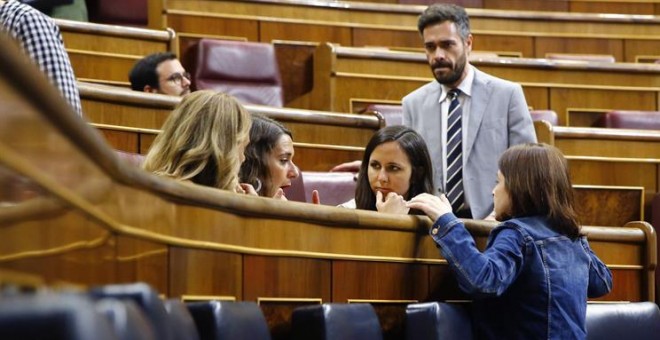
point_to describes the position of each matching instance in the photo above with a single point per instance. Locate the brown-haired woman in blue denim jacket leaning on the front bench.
(534, 277)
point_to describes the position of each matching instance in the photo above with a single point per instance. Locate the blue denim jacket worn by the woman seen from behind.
(529, 283)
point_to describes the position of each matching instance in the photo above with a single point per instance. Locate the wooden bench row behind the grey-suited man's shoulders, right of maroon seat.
(345, 74)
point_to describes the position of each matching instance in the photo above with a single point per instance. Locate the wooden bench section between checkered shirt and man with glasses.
(106, 53)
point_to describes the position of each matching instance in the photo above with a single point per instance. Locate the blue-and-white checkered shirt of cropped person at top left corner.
(41, 39)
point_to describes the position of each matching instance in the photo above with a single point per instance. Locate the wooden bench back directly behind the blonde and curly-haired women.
(130, 121)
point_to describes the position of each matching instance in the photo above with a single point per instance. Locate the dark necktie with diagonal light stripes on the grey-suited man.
(454, 188)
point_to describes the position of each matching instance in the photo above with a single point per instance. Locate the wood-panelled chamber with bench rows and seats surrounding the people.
(94, 247)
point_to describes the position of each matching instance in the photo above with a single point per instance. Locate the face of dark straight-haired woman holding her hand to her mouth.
(389, 169)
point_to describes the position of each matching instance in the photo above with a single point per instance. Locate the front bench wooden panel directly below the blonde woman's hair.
(203, 272)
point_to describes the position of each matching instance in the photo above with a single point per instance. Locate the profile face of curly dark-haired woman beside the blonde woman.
(280, 165)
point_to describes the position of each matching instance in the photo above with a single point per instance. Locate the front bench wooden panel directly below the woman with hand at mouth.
(377, 281)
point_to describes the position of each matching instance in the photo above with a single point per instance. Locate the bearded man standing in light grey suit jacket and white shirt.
(494, 111)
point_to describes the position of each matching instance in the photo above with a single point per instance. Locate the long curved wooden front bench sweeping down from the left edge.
(96, 220)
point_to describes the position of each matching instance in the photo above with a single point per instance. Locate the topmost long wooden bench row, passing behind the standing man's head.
(353, 24)
